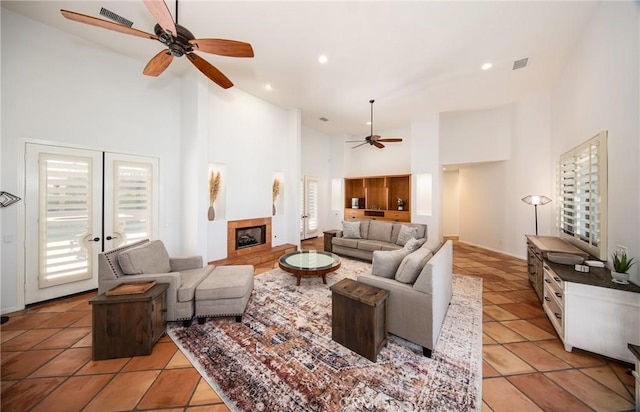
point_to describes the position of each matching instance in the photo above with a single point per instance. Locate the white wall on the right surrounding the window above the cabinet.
(599, 90)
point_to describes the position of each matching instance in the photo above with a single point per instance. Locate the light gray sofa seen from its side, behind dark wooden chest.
(421, 288)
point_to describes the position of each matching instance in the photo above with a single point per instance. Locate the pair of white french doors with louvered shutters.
(78, 203)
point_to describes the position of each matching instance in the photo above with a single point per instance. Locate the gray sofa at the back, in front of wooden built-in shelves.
(374, 235)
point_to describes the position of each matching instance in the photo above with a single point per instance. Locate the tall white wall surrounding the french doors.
(86, 98)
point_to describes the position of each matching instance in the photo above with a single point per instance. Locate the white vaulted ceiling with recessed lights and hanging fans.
(411, 57)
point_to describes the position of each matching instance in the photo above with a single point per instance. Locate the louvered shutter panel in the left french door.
(65, 216)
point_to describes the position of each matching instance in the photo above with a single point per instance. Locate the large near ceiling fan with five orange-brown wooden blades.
(178, 40)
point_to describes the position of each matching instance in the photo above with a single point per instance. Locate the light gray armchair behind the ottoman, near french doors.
(151, 262)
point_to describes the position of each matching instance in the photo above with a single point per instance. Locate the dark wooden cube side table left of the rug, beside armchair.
(128, 325)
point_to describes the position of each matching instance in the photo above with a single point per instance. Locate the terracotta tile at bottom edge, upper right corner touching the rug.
(165, 393)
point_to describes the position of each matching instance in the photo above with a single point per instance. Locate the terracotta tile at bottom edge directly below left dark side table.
(123, 392)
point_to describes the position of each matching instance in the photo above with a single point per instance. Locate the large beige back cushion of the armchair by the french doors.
(151, 257)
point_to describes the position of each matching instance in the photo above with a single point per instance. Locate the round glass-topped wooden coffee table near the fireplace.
(309, 263)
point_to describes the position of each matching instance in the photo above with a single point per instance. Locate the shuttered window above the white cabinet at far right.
(582, 196)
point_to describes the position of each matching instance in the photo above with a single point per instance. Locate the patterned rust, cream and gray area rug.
(281, 356)
